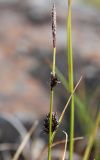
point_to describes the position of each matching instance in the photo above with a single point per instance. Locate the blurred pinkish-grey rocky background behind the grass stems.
(25, 57)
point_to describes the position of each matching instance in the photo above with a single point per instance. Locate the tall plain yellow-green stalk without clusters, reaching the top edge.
(70, 75)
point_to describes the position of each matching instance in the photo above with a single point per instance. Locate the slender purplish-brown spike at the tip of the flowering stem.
(54, 25)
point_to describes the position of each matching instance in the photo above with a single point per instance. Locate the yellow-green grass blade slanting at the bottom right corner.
(92, 138)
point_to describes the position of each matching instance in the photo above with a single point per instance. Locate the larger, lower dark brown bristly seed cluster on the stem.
(54, 122)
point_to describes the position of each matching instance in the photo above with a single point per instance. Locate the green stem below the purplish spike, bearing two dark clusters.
(51, 107)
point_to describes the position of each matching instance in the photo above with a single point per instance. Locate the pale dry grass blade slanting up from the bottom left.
(24, 142)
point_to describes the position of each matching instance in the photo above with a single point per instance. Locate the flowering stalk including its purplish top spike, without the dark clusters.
(53, 72)
